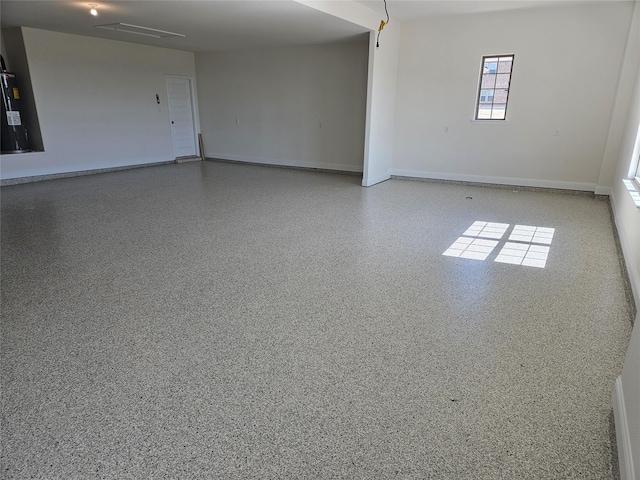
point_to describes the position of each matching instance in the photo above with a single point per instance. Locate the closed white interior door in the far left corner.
(181, 115)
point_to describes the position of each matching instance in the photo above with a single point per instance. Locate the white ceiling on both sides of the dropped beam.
(232, 24)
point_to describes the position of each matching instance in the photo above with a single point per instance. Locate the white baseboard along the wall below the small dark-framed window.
(523, 182)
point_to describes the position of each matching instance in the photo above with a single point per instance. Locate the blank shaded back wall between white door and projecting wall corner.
(300, 106)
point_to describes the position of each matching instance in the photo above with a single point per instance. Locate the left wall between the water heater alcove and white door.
(96, 103)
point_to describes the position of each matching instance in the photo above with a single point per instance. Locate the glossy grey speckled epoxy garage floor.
(214, 320)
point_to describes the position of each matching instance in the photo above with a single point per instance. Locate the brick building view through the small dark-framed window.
(493, 91)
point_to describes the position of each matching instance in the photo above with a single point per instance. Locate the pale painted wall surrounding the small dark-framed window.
(565, 74)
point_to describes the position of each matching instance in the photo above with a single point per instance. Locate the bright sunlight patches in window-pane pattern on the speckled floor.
(526, 245)
